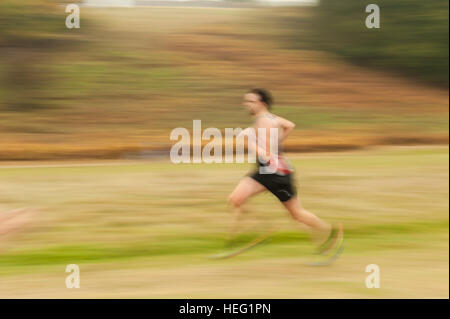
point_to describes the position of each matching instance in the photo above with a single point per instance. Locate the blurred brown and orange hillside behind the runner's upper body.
(128, 76)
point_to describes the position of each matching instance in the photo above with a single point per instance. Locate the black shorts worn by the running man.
(282, 186)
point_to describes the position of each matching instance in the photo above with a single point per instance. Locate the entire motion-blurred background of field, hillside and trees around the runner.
(85, 118)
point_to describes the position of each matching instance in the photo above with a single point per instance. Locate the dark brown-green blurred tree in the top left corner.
(31, 33)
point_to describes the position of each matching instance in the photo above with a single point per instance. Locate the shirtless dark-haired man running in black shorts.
(279, 181)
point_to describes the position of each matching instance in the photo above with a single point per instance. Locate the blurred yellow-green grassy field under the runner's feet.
(144, 229)
